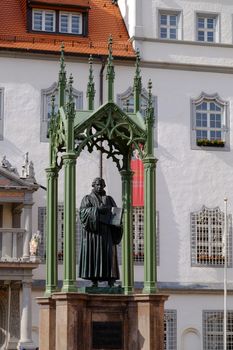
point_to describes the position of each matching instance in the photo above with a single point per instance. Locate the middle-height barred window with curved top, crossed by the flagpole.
(207, 229)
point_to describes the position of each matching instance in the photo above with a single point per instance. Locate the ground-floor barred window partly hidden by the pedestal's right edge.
(170, 330)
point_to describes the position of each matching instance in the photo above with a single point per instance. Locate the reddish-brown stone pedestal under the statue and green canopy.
(88, 321)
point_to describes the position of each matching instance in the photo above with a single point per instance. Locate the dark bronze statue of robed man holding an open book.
(100, 236)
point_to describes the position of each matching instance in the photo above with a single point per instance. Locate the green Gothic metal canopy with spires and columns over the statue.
(116, 133)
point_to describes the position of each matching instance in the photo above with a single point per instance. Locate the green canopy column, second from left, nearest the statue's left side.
(69, 280)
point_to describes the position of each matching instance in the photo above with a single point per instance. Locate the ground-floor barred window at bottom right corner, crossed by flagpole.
(213, 330)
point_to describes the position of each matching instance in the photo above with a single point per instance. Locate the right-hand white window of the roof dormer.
(70, 23)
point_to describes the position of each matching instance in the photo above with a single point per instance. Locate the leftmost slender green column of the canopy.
(51, 224)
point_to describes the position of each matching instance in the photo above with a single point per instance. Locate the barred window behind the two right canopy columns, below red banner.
(138, 235)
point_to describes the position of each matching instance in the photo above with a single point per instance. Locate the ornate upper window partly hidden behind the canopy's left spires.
(46, 107)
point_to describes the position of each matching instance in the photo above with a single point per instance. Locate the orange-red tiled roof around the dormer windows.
(104, 19)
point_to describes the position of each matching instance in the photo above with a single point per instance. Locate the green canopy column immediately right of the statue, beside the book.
(127, 242)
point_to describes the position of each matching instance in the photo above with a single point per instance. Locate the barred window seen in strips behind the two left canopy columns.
(60, 232)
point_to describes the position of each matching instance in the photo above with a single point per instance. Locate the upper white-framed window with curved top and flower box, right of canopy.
(210, 122)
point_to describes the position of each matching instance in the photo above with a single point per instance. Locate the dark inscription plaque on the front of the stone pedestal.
(107, 335)
